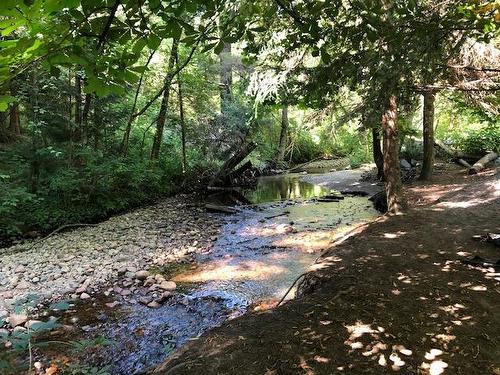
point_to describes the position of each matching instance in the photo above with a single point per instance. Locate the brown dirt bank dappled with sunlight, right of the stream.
(394, 297)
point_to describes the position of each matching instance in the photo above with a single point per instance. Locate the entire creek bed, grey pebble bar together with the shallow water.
(153, 279)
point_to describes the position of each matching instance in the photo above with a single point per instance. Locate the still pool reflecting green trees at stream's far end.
(283, 187)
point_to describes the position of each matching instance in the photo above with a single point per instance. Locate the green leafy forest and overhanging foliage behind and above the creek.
(107, 105)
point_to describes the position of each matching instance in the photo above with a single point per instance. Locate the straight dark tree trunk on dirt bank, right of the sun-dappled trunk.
(428, 133)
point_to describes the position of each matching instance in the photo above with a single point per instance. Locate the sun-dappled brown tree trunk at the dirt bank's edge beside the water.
(391, 156)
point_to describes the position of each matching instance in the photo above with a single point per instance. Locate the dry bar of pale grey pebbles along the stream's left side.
(84, 260)
